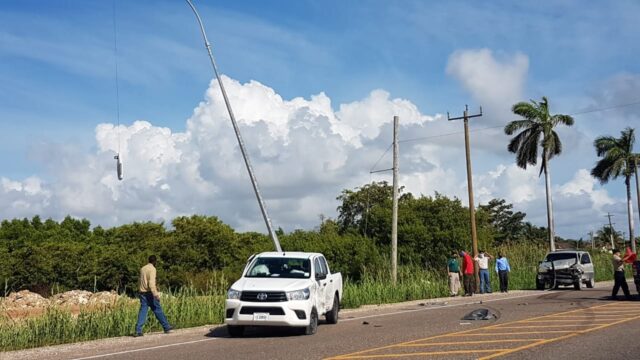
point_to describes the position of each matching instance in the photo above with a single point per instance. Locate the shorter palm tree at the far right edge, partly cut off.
(617, 160)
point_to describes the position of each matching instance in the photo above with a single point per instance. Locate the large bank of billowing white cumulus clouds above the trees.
(303, 152)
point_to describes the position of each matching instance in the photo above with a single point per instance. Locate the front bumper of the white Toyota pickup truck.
(282, 313)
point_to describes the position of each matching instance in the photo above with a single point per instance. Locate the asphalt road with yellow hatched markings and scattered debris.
(560, 324)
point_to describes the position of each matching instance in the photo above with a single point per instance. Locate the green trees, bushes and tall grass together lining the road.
(200, 256)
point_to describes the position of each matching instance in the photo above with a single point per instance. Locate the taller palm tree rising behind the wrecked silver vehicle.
(537, 129)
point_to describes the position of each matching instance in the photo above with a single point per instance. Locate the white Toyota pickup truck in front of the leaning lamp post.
(284, 289)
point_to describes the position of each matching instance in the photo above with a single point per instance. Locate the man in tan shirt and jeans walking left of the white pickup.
(150, 297)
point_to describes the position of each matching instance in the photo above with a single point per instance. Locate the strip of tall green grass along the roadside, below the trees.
(188, 308)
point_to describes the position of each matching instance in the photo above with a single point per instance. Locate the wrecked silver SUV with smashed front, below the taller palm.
(565, 267)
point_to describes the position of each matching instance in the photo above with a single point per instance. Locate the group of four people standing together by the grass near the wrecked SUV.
(466, 271)
